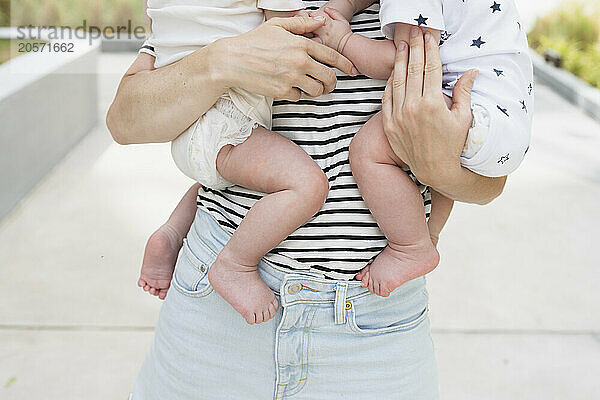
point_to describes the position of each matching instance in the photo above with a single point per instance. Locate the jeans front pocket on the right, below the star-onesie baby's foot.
(376, 315)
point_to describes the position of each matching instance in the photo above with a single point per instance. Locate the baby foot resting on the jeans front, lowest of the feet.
(242, 287)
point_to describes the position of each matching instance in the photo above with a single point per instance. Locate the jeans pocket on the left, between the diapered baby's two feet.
(191, 271)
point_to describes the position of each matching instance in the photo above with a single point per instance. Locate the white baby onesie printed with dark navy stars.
(486, 35)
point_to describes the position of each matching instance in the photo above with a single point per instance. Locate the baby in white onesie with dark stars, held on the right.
(473, 34)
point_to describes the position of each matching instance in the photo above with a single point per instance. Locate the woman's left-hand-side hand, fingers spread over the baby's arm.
(275, 61)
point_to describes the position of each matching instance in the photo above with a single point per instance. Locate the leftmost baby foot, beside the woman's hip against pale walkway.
(159, 261)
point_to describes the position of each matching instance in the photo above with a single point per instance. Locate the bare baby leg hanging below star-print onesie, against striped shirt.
(396, 205)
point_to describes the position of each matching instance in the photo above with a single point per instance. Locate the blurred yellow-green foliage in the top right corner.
(573, 30)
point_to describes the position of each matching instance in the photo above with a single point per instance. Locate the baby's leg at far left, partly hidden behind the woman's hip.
(164, 244)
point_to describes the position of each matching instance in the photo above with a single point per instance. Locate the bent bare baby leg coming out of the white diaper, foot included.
(297, 189)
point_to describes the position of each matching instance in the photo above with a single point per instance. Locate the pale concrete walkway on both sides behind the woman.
(515, 304)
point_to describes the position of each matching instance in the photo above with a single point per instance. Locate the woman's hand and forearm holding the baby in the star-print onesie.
(421, 129)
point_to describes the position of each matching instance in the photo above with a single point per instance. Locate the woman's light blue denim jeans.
(328, 340)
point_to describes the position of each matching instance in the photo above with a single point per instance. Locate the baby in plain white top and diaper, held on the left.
(231, 144)
